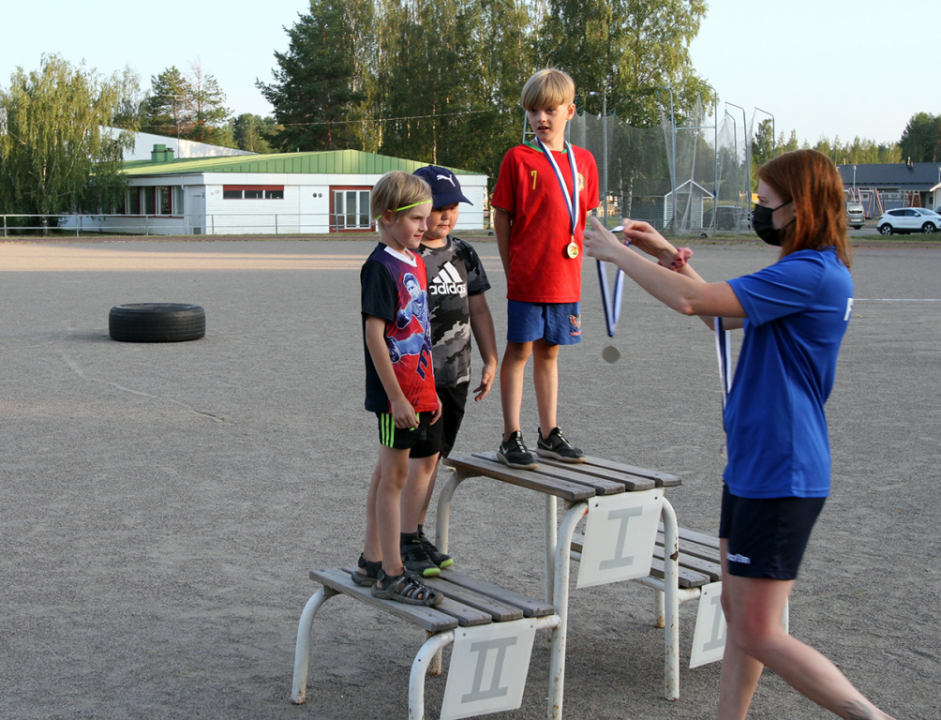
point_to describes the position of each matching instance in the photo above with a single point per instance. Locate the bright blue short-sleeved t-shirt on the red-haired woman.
(798, 311)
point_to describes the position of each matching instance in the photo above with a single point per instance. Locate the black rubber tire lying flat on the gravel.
(157, 322)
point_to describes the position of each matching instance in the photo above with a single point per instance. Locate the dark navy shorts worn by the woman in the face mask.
(767, 538)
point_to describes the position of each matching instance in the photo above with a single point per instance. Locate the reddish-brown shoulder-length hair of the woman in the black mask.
(810, 180)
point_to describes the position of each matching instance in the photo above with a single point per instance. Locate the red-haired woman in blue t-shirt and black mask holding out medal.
(794, 314)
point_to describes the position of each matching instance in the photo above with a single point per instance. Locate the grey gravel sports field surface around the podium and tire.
(162, 504)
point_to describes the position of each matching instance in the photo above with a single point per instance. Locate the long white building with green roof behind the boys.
(289, 193)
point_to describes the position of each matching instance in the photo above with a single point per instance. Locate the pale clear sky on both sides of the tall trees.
(821, 67)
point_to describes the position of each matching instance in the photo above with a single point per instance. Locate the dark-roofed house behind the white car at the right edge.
(881, 187)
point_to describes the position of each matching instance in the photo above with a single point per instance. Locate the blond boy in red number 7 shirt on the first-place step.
(542, 196)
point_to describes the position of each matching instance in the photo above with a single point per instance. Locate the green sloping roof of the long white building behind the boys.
(346, 162)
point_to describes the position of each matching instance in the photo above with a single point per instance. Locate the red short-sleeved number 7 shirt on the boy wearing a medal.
(527, 188)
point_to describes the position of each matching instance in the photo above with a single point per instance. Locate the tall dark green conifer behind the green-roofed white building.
(315, 92)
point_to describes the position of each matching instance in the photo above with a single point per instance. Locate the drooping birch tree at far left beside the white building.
(56, 154)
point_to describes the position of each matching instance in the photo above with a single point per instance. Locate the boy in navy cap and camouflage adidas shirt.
(456, 283)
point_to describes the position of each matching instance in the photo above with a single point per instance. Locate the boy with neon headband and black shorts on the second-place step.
(400, 382)
